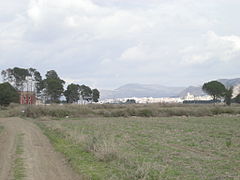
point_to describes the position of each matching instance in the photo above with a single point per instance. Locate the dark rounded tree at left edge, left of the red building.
(8, 94)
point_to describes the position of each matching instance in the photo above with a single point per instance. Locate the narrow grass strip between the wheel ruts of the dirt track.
(19, 169)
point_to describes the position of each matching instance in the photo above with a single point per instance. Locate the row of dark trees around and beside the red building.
(50, 89)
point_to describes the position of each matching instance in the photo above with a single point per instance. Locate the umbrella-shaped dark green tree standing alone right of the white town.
(214, 89)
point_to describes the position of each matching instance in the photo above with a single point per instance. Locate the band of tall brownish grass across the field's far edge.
(115, 110)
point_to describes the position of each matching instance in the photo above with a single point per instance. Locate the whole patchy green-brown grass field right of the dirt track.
(149, 148)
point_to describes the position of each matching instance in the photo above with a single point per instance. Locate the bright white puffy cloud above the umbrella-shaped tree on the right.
(212, 47)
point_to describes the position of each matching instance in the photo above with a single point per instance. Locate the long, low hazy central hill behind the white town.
(141, 90)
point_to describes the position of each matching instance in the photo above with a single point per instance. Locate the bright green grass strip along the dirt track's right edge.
(80, 159)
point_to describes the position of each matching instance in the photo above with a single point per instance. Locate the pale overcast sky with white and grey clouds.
(109, 43)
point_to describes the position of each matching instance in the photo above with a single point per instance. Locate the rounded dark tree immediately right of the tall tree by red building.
(72, 93)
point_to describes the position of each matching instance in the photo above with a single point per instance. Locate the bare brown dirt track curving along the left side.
(40, 159)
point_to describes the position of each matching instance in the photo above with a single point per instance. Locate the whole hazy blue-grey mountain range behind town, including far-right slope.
(156, 91)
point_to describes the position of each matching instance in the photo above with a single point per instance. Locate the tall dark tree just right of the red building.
(53, 87)
